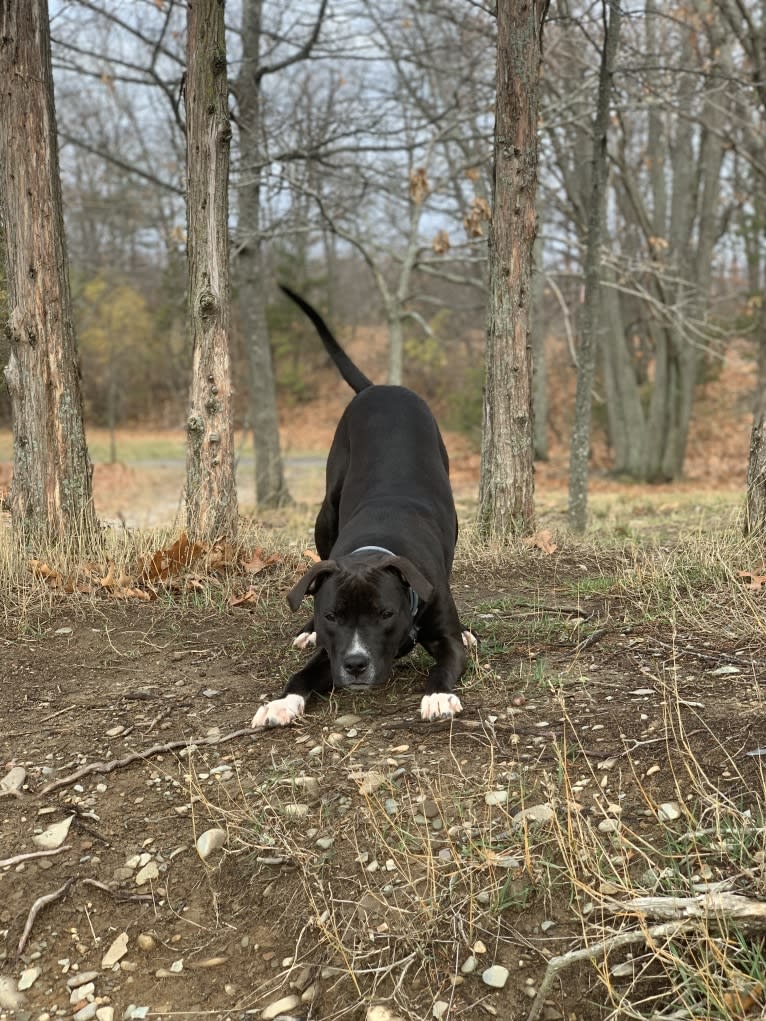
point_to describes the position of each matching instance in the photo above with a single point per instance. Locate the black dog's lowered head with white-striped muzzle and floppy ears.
(363, 614)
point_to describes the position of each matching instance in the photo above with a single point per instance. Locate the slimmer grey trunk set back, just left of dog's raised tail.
(271, 489)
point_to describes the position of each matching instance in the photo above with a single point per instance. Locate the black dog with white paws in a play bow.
(387, 534)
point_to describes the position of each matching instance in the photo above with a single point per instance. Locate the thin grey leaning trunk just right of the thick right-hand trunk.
(581, 452)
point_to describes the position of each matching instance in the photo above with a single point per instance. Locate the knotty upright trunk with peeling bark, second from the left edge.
(211, 485)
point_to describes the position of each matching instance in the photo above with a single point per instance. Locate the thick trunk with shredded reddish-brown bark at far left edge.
(52, 496)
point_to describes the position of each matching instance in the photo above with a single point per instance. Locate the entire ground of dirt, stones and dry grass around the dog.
(604, 787)
